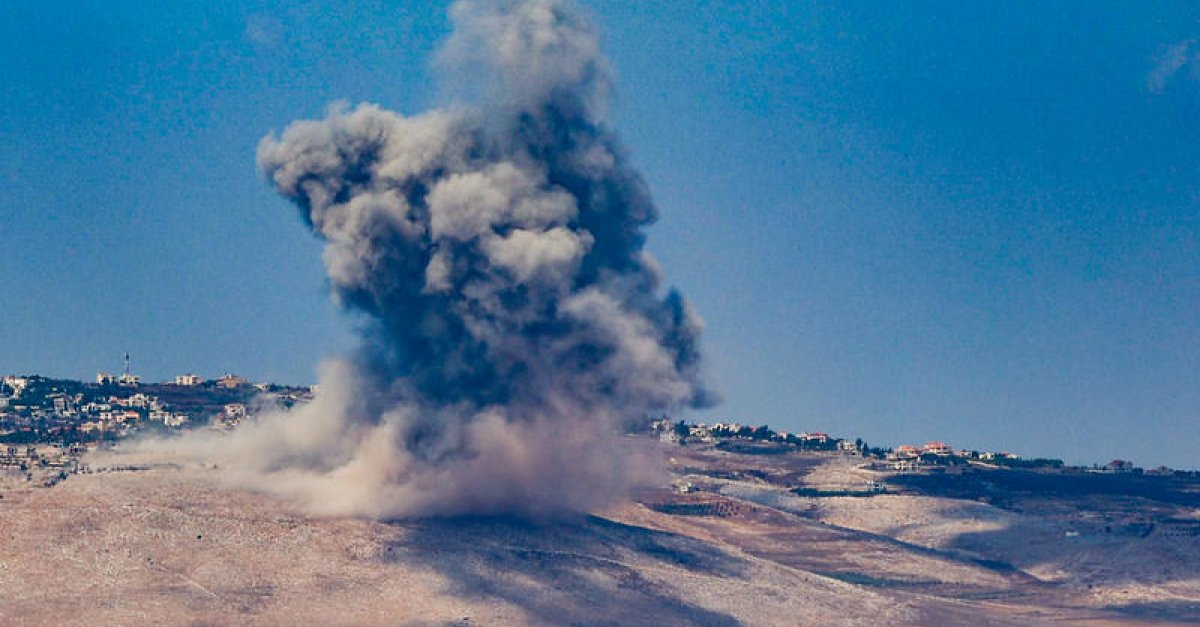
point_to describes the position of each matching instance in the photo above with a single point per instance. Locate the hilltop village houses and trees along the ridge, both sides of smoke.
(49, 423)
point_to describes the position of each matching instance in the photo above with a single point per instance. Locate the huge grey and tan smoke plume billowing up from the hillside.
(515, 325)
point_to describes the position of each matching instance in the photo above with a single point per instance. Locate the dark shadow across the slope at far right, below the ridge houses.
(1100, 517)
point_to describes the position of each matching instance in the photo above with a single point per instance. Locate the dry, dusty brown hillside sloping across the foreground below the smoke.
(169, 547)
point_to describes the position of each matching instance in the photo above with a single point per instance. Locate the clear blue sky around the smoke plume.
(970, 222)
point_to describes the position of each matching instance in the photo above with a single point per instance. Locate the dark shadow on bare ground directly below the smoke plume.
(590, 572)
